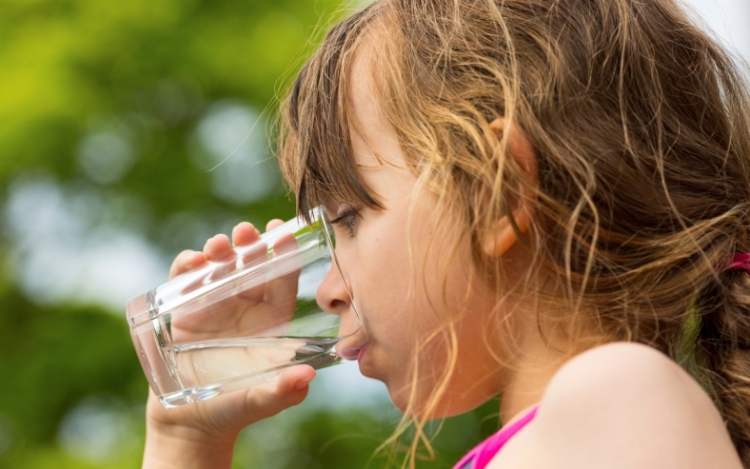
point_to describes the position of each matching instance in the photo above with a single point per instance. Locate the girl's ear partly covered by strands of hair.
(502, 235)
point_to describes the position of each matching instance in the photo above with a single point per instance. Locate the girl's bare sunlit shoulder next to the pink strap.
(627, 405)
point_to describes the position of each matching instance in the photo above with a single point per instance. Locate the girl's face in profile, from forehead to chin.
(403, 303)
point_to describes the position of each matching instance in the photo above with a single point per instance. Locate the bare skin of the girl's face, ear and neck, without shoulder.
(413, 309)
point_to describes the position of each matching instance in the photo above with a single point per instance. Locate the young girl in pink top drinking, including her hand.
(543, 199)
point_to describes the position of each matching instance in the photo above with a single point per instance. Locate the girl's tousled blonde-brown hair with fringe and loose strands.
(640, 124)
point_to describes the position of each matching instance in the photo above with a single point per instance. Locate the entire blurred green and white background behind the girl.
(129, 131)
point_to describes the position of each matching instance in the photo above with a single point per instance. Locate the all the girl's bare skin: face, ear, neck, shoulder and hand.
(618, 405)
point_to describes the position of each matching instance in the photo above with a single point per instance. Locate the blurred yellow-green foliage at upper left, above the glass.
(69, 65)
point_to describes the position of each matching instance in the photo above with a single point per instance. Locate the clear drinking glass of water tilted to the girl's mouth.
(232, 325)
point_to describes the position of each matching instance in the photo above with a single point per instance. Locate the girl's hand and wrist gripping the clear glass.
(203, 434)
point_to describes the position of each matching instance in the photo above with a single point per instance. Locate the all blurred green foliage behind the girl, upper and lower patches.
(136, 80)
